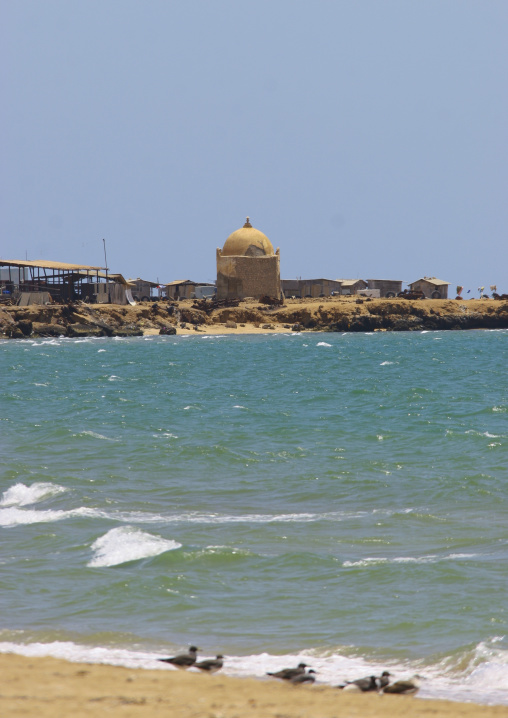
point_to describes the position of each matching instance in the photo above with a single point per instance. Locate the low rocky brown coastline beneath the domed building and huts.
(328, 314)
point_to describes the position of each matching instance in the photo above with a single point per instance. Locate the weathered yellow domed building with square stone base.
(248, 266)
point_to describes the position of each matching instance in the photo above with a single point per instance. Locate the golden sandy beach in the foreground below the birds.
(47, 687)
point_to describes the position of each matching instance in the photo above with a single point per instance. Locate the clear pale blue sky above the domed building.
(365, 139)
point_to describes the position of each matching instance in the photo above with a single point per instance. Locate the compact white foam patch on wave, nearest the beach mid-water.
(127, 543)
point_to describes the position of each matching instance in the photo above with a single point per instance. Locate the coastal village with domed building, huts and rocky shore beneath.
(50, 298)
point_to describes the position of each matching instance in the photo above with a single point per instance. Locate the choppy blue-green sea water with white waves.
(338, 498)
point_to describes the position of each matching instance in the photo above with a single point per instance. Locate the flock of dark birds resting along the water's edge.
(299, 675)
